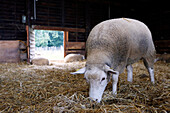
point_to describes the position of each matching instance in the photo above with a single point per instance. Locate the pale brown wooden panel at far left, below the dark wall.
(9, 51)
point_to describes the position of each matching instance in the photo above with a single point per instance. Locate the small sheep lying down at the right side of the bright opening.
(73, 58)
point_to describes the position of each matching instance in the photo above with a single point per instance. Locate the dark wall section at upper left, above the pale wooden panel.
(11, 12)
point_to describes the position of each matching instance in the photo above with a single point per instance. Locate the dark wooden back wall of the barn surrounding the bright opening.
(76, 18)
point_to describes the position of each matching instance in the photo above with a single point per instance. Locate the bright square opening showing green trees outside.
(49, 44)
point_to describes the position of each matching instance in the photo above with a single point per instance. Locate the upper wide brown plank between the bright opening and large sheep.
(75, 45)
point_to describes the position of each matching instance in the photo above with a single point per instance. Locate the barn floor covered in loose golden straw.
(29, 88)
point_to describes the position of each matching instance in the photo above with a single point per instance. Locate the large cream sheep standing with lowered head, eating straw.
(112, 46)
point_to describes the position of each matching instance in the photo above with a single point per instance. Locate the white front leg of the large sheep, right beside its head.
(115, 81)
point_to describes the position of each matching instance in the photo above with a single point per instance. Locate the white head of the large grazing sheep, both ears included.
(97, 78)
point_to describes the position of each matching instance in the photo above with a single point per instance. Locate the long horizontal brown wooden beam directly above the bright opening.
(58, 28)
